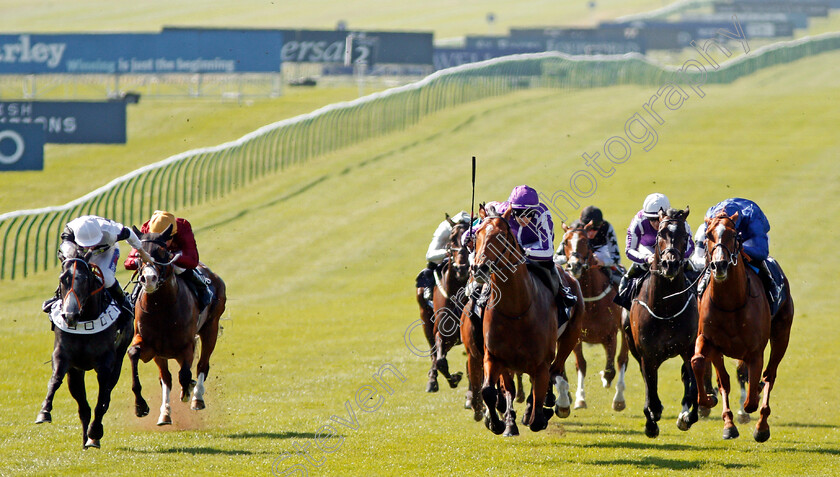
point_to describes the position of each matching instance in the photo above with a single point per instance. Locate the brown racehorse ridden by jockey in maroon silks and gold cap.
(166, 323)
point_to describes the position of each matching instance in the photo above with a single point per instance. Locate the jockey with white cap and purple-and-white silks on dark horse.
(641, 240)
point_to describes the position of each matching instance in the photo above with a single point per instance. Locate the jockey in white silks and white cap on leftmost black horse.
(90, 233)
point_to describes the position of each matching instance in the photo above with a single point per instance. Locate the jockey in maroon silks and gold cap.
(183, 242)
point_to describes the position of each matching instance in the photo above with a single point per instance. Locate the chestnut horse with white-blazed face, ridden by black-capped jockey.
(601, 322)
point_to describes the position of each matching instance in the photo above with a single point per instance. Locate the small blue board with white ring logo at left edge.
(21, 147)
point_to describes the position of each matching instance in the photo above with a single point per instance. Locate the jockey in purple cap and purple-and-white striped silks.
(531, 224)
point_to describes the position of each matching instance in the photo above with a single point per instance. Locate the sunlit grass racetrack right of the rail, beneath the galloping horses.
(320, 263)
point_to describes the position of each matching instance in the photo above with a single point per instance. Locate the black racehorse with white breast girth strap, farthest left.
(89, 334)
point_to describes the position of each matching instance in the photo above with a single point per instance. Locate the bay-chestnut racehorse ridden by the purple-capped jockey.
(519, 324)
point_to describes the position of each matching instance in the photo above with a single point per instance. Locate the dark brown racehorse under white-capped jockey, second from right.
(662, 322)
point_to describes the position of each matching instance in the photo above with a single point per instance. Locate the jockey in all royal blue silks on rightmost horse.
(752, 226)
